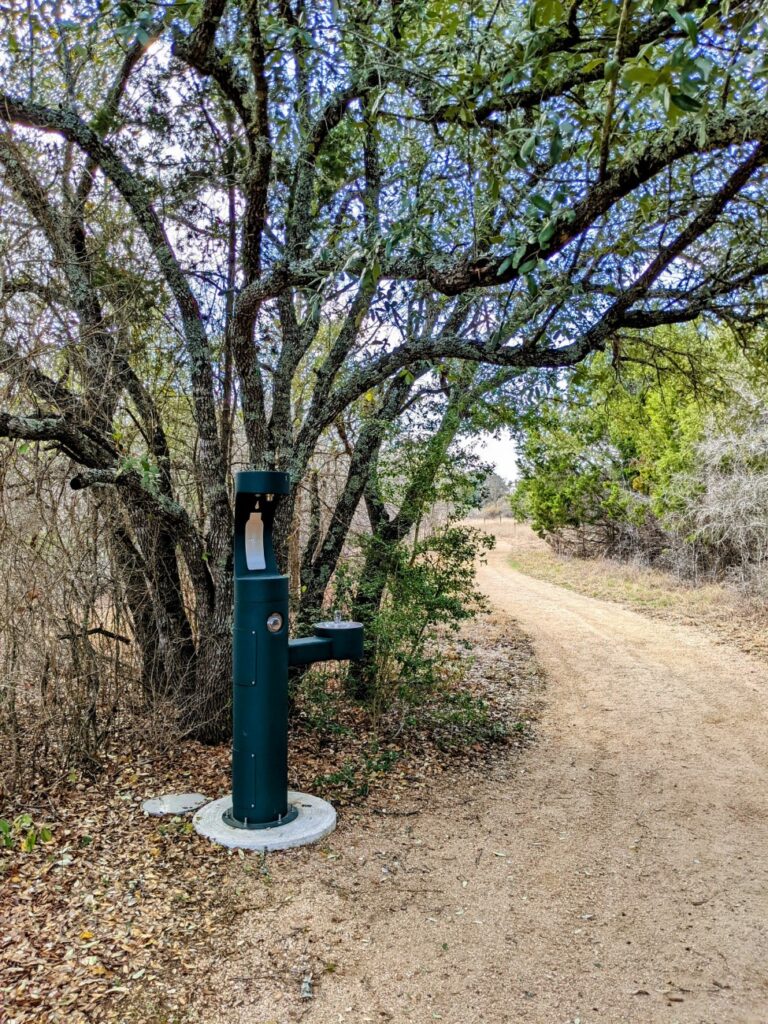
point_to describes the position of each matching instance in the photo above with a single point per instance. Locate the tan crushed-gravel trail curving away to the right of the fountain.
(618, 872)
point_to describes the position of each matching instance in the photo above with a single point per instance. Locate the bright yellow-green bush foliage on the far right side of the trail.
(620, 445)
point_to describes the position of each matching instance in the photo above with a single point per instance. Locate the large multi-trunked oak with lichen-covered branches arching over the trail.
(231, 227)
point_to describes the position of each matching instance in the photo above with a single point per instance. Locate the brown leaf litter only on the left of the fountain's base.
(115, 905)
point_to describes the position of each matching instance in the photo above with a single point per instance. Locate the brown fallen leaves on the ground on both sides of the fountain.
(115, 916)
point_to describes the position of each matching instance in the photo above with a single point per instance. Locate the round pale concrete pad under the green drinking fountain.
(316, 820)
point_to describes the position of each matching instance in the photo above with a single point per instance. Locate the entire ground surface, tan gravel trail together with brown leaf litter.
(616, 871)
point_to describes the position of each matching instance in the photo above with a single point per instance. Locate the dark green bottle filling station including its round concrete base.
(262, 814)
